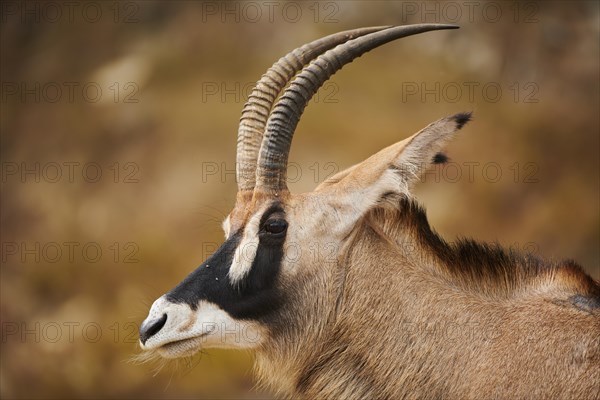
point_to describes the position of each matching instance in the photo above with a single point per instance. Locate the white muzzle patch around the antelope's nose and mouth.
(186, 331)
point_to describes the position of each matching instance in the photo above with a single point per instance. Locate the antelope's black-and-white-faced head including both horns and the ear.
(277, 275)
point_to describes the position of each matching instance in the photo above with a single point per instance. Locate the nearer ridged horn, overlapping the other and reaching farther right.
(274, 151)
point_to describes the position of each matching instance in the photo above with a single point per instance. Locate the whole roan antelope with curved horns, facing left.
(395, 311)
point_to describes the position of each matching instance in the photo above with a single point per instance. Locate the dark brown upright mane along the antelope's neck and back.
(484, 267)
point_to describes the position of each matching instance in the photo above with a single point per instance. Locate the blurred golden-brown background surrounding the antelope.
(118, 132)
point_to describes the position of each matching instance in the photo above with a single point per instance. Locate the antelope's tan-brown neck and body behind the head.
(520, 330)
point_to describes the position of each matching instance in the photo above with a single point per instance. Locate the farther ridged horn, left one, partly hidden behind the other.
(256, 110)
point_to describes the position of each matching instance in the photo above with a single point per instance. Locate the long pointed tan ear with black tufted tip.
(394, 169)
